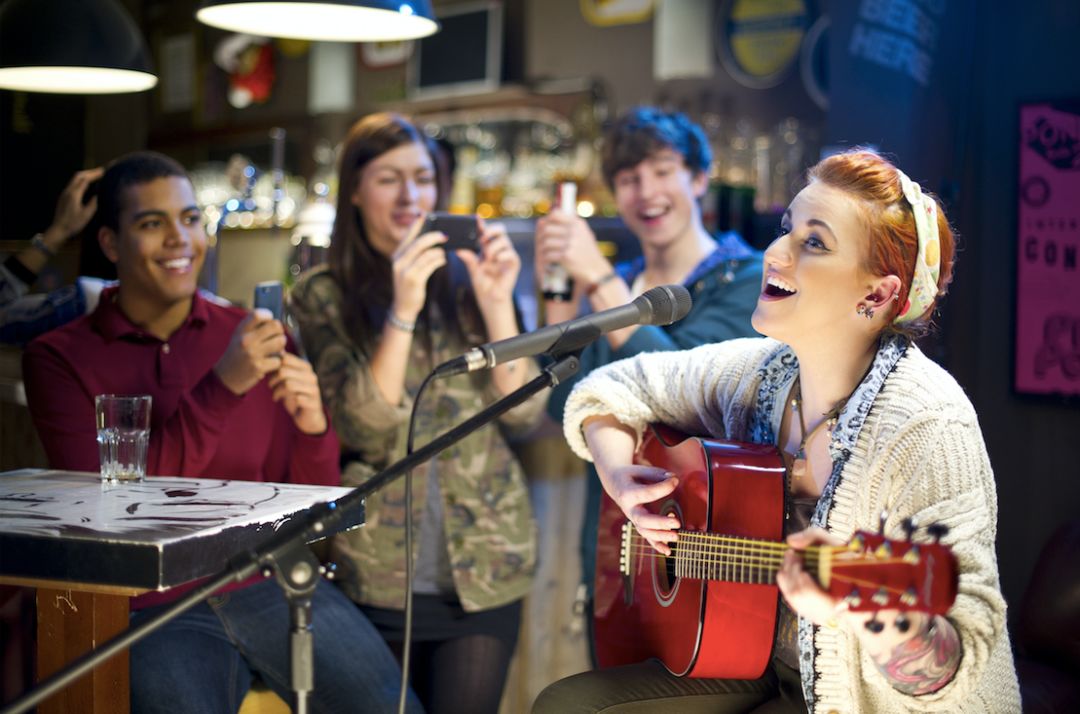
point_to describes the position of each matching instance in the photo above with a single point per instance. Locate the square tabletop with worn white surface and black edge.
(152, 535)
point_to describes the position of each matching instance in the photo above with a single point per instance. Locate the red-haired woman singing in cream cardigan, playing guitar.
(867, 425)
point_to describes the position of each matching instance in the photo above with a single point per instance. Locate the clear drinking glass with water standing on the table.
(124, 432)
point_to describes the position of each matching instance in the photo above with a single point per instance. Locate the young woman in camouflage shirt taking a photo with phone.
(393, 305)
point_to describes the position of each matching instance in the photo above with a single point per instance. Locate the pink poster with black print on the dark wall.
(1048, 276)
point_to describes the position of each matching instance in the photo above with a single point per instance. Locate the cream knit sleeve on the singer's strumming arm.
(686, 390)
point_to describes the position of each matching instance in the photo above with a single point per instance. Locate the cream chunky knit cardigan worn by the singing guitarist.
(920, 454)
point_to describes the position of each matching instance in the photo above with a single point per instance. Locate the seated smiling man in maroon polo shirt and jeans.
(231, 401)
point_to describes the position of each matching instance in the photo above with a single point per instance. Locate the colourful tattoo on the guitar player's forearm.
(926, 663)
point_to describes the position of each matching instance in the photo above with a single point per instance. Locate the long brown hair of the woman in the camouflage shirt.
(364, 275)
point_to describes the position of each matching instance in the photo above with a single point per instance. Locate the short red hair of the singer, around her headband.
(894, 240)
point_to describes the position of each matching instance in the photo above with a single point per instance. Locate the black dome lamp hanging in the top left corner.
(72, 47)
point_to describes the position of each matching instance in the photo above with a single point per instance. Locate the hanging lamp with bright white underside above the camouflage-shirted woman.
(333, 21)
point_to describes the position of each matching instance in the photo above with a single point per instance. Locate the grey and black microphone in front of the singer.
(660, 306)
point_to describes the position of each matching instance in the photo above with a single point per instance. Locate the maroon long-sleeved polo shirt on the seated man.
(198, 427)
